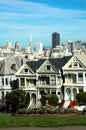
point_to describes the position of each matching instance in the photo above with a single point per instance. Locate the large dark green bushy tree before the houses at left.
(15, 99)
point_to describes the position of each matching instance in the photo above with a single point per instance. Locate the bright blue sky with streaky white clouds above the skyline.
(20, 18)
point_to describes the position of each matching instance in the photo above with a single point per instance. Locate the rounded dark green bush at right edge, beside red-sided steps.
(81, 98)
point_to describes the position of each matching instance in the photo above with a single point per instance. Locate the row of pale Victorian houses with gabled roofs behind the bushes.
(64, 77)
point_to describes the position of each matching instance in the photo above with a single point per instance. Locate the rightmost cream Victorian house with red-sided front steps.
(74, 74)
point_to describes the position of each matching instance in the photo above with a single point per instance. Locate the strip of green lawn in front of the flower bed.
(6, 120)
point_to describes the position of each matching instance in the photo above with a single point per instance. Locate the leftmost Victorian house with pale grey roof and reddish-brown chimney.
(8, 68)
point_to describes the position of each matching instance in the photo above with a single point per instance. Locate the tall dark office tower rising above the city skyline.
(55, 39)
